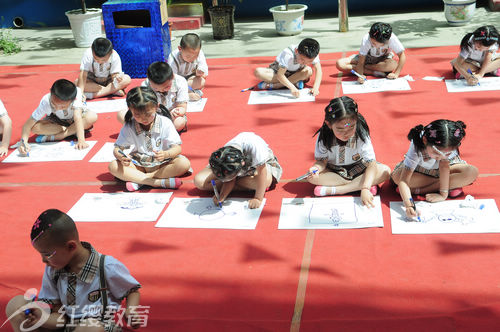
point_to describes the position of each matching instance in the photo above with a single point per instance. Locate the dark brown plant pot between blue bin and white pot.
(222, 19)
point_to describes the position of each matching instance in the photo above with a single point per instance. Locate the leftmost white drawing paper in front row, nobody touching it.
(119, 206)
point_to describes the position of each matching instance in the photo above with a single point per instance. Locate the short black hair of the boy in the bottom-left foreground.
(55, 226)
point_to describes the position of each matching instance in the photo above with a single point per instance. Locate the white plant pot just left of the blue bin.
(86, 27)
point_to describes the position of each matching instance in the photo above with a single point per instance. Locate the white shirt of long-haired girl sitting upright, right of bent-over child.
(342, 155)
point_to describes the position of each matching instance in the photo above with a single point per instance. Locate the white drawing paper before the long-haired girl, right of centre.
(329, 213)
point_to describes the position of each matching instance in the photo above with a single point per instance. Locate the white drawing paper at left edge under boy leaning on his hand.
(51, 151)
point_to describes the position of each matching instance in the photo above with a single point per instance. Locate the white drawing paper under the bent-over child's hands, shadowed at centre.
(202, 213)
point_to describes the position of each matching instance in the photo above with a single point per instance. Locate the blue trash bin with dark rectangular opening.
(139, 32)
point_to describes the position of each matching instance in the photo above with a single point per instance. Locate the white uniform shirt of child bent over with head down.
(257, 153)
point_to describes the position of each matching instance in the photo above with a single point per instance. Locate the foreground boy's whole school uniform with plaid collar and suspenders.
(60, 287)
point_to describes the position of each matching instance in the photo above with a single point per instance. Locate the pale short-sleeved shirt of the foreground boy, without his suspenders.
(118, 279)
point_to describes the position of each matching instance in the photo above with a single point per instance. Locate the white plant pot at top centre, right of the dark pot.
(289, 22)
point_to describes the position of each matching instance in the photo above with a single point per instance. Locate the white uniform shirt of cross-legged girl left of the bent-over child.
(161, 136)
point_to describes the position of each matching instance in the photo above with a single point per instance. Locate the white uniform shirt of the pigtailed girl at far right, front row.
(421, 162)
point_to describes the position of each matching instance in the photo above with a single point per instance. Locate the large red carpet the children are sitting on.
(230, 280)
